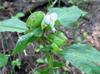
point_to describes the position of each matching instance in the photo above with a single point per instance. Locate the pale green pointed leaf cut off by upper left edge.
(13, 25)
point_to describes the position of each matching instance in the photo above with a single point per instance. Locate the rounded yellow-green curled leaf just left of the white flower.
(35, 19)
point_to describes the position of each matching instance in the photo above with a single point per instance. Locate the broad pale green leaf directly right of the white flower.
(68, 16)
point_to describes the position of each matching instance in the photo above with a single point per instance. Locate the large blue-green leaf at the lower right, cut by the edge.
(84, 57)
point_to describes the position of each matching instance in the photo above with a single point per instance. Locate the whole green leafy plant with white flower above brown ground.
(44, 28)
